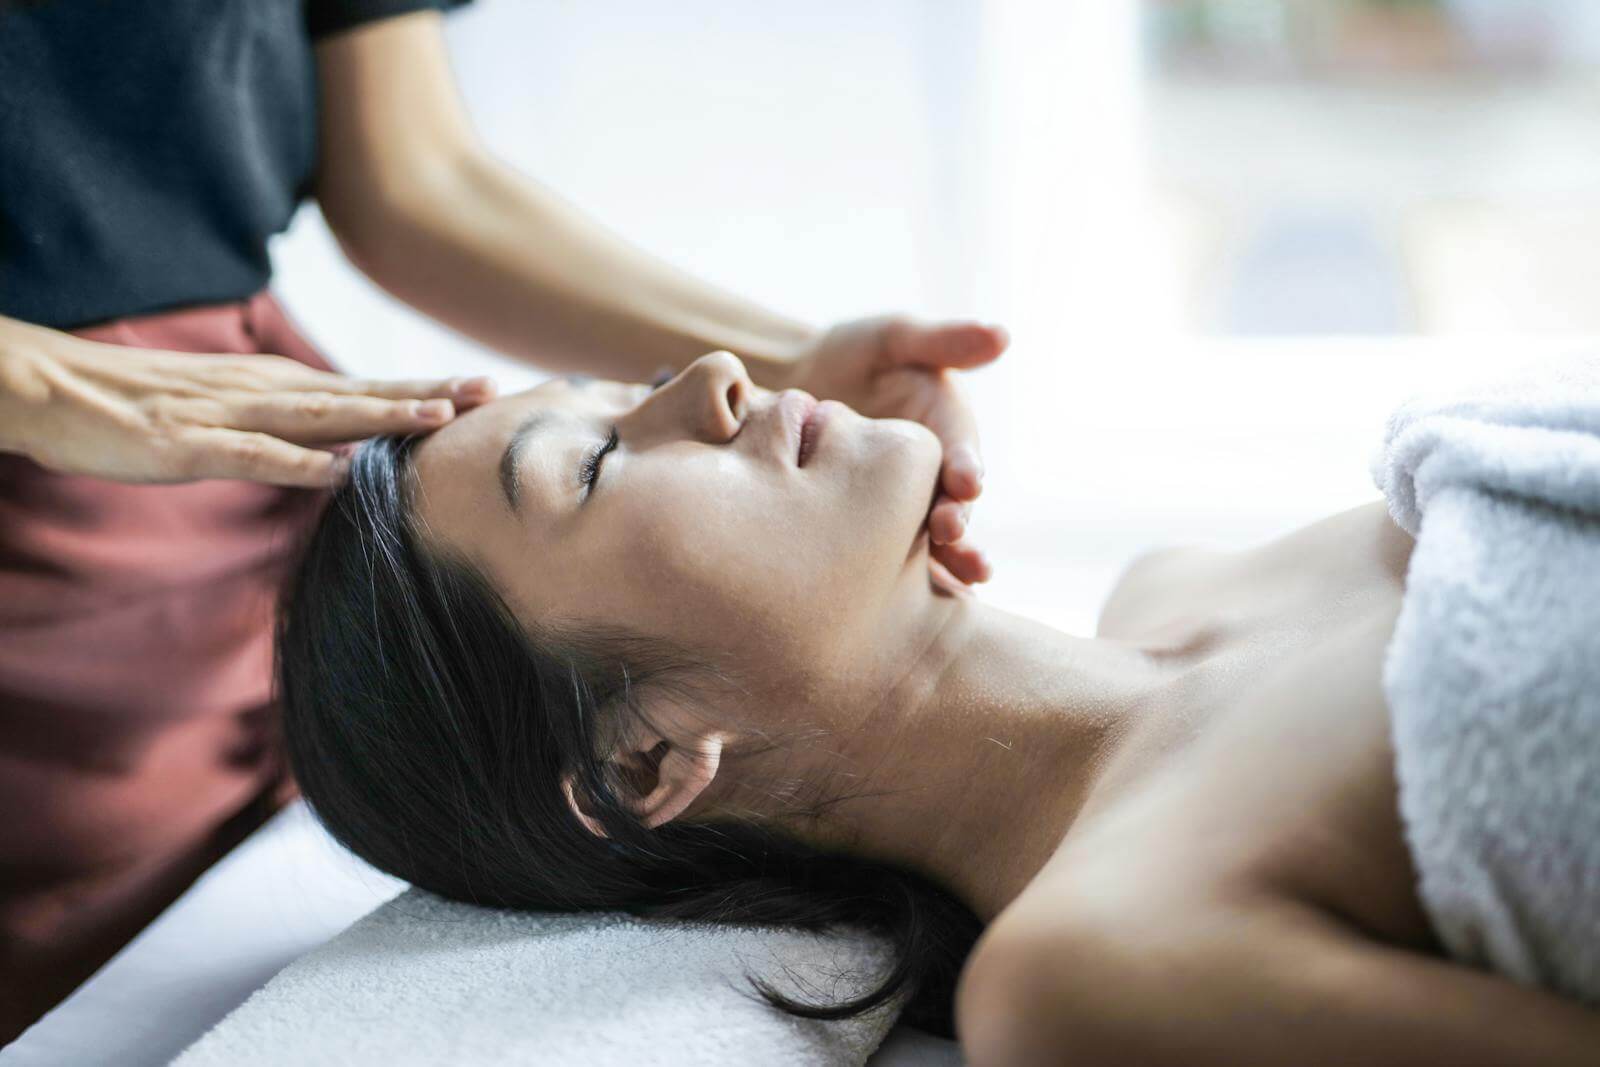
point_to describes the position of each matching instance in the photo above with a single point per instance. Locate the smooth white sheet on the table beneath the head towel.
(282, 893)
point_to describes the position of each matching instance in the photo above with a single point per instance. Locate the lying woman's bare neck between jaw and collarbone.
(982, 740)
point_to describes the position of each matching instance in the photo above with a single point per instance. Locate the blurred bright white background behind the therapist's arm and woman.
(1228, 236)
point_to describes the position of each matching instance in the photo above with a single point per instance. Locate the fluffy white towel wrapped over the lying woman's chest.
(1494, 674)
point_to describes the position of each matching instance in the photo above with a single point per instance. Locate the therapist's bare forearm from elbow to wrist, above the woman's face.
(510, 263)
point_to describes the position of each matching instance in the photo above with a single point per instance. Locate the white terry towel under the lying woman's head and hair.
(428, 981)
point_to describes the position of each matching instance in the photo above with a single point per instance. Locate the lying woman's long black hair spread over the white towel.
(430, 732)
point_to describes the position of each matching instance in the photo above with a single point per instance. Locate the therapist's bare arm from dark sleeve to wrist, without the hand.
(430, 215)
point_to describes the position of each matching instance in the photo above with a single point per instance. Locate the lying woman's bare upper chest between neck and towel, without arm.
(1271, 770)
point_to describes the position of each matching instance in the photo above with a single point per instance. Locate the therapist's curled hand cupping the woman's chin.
(898, 369)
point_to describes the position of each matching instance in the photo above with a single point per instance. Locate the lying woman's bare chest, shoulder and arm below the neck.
(1238, 889)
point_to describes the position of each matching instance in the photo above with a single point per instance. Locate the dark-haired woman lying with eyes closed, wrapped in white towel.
(606, 647)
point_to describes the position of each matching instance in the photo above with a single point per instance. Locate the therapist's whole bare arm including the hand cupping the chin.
(425, 210)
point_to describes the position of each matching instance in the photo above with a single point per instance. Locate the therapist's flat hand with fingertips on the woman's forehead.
(148, 415)
